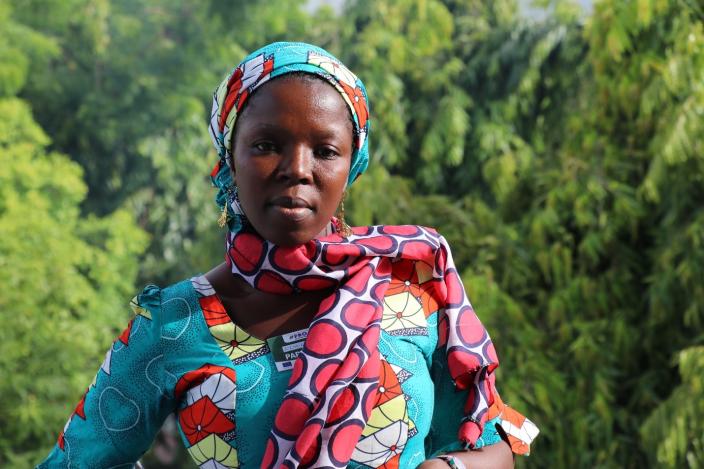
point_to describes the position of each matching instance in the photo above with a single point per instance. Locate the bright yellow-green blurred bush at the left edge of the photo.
(65, 277)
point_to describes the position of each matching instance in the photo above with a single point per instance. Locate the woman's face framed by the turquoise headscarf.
(292, 149)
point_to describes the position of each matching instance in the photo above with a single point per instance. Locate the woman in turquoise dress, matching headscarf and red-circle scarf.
(314, 345)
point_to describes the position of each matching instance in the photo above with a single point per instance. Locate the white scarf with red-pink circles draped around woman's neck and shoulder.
(334, 381)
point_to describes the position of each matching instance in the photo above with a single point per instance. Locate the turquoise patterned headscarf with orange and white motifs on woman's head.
(276, 59)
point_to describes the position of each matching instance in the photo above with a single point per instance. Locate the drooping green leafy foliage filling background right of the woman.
(575, 205)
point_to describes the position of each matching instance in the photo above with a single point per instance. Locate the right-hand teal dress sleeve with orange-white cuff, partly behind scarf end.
(503, 422)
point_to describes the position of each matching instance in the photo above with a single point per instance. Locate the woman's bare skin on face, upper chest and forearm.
(293, 145)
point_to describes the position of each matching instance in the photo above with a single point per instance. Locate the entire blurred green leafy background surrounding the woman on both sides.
(558, 146)
